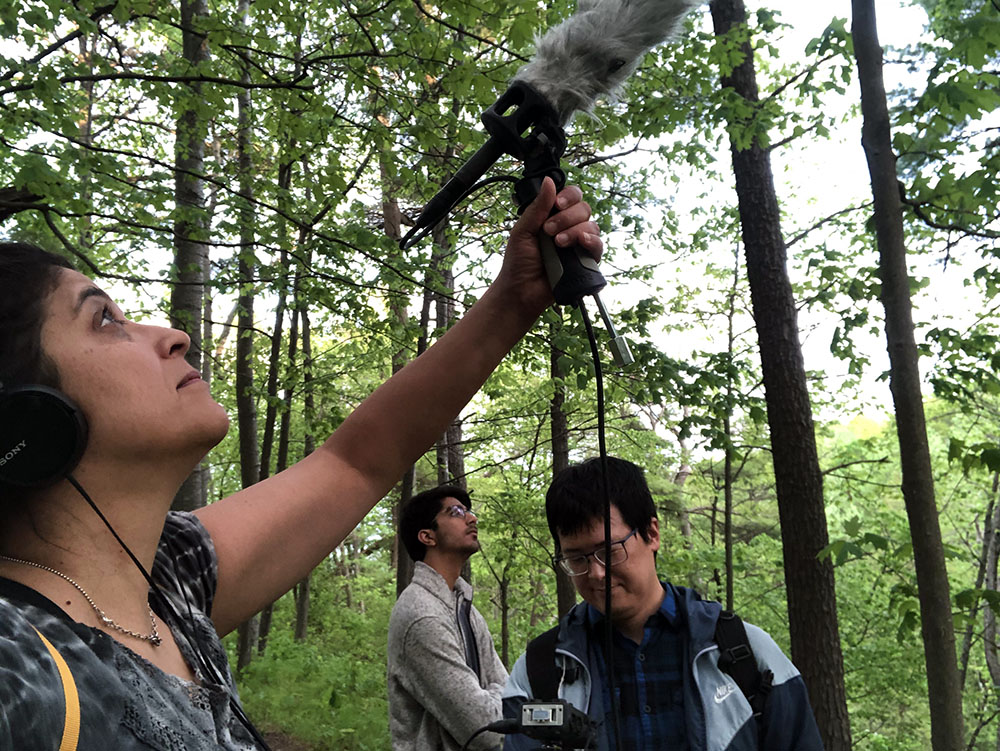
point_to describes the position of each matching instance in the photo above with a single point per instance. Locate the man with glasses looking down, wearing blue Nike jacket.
(669, 690)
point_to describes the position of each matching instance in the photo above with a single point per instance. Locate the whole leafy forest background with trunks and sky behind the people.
(246, 170)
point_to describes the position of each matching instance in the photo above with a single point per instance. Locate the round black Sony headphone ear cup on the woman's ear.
(42, 436)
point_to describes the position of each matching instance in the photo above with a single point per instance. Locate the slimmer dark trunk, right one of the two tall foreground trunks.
(937, 627)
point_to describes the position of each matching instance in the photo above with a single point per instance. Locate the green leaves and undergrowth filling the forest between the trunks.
(356, 106)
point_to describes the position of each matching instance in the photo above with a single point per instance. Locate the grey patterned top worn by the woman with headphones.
(126, 702)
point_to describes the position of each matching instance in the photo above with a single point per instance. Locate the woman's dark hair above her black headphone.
(28, 275)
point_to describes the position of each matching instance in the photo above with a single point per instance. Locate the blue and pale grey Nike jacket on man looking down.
(719, 717)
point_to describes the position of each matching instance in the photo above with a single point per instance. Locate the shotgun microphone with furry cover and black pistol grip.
(589, 54)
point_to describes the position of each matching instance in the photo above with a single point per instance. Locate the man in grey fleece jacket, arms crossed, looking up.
(444, 675)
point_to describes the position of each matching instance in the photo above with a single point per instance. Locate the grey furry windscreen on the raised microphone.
(593, 51)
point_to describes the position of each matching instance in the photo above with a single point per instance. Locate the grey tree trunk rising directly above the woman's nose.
(191, 222)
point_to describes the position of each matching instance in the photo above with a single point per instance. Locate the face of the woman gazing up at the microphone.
(140, 396)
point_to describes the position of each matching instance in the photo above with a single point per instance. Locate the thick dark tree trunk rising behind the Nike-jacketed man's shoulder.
(812, 606)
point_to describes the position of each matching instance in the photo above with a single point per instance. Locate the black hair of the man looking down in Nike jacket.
(576, 497)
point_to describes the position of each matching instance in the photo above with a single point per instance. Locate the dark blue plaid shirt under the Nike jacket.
(648, 681)
